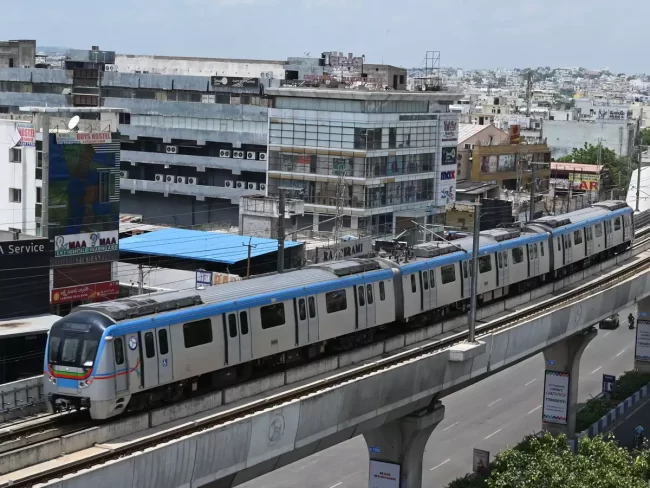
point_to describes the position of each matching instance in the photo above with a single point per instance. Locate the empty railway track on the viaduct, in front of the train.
(236, 413)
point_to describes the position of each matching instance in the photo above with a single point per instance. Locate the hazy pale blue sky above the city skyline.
(469, 33)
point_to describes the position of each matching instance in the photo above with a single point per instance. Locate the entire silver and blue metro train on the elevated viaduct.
(137, 352)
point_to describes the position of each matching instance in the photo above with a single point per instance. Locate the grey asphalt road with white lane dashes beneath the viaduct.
(491, 415)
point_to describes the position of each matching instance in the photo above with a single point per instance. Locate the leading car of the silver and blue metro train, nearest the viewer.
(140, 350)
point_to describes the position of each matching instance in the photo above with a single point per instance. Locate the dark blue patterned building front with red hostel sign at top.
(84, 194)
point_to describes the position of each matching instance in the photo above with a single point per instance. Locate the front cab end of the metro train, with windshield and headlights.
(73, 360)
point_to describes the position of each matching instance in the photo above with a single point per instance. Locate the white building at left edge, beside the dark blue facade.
(20, 191)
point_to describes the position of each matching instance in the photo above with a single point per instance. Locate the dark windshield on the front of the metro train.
(73, 345)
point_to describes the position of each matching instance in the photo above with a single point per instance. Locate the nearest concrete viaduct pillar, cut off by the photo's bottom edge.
(402, 442)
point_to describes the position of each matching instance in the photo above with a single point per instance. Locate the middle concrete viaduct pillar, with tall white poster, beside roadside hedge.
(564, 357)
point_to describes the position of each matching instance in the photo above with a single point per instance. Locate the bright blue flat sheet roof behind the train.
(200, 245)
